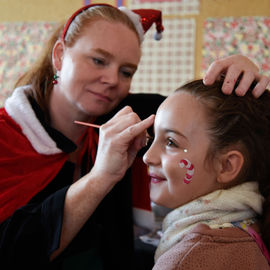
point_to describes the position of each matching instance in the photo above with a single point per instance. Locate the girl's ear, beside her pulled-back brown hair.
(229, 166)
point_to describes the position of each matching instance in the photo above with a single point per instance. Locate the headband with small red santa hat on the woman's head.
(141, 18)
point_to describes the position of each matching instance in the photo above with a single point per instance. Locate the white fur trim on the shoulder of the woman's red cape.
(19, 108)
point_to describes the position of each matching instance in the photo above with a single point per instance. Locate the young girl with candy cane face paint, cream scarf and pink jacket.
(209, 162)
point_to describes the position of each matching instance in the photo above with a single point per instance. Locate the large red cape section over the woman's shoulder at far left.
(32, 172)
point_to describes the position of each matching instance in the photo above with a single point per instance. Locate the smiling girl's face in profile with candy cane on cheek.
(180, 133)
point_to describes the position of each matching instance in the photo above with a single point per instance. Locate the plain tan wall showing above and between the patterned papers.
(55, 10)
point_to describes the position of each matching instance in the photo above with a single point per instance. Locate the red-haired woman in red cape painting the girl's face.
(58, 206)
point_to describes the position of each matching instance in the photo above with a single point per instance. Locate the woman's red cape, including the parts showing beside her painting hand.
(34, 171)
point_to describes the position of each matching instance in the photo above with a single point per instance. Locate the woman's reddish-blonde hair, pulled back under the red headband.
(40, 76)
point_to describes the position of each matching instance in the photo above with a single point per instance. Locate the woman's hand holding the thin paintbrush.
(119, 142)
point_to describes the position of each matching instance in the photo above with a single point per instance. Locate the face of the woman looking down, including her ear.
(95, 74)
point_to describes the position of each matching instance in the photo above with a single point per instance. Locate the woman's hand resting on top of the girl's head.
(235, 66)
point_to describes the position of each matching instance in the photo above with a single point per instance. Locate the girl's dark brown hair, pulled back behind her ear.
(242, 122)
